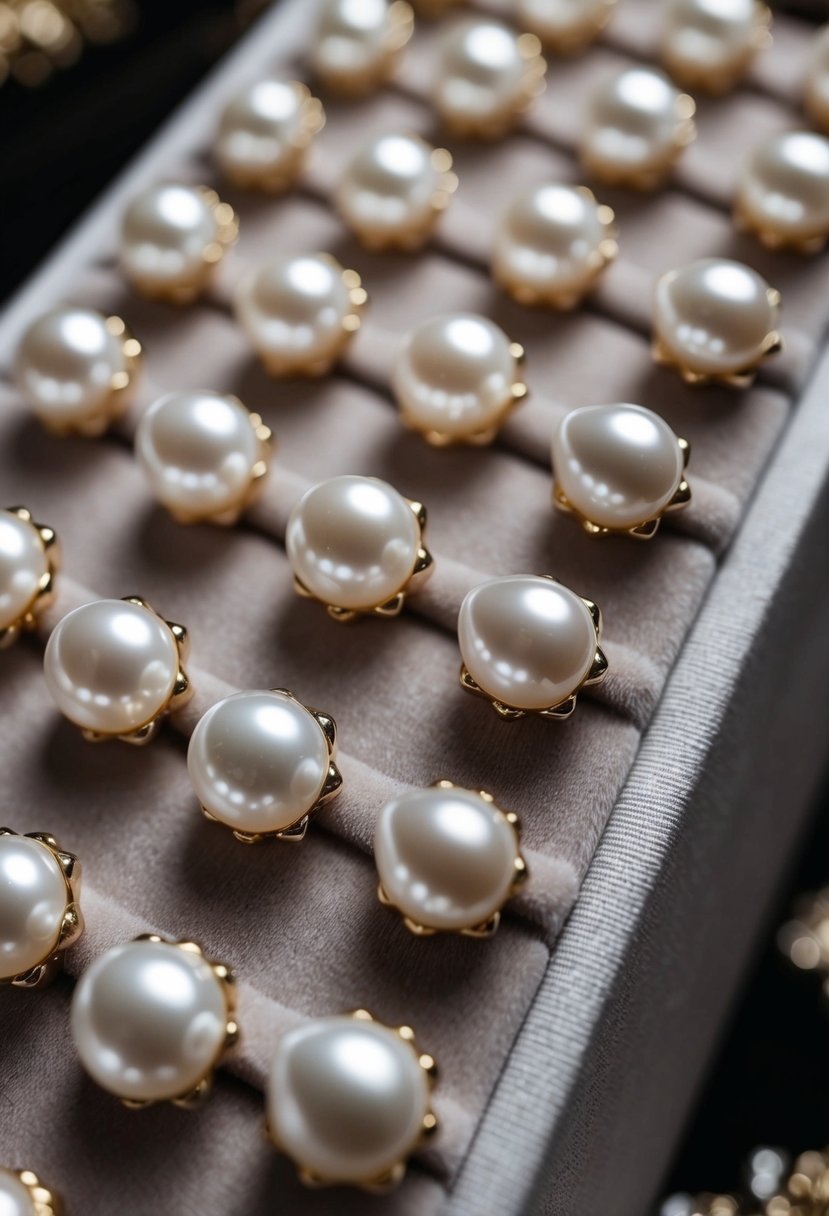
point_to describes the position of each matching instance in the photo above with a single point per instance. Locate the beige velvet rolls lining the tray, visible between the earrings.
(302, 925)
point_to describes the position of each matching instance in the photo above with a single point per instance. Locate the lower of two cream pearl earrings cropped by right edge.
(783, 195)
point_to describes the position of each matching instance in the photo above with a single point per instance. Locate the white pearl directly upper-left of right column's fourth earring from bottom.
(455, 376)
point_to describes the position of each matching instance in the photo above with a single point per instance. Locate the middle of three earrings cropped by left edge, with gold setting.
(40, 908)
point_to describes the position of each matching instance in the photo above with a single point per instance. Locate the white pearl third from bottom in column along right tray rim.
(527, 641)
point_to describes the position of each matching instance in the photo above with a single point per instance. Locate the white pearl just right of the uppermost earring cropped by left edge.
(111, 667)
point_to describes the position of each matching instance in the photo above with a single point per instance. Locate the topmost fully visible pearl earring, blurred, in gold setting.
(487, 76)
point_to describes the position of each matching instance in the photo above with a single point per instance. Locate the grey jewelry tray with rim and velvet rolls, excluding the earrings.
(539, 1039)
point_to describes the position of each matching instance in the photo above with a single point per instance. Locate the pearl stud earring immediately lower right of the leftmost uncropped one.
(205, 455)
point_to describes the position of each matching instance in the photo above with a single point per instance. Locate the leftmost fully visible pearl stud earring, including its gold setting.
(77, 370)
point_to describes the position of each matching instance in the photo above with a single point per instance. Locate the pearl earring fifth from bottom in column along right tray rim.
(715, 322)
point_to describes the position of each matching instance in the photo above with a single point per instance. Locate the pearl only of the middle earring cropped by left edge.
(33, 899)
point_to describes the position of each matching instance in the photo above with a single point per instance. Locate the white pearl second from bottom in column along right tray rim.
(447, 858)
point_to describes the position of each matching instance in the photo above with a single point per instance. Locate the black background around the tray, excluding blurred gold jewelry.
(60, 145)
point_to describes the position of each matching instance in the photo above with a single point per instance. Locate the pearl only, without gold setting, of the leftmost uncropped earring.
(66, 364)
